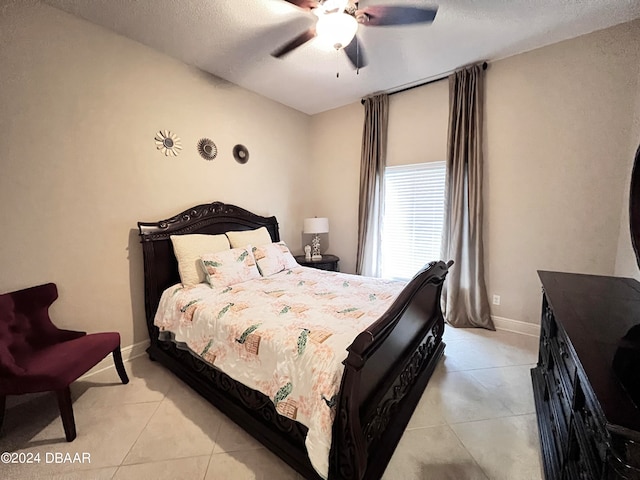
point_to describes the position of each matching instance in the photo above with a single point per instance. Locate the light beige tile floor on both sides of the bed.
(476, 420)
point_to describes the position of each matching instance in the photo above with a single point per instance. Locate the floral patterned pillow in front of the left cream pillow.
(229, 267)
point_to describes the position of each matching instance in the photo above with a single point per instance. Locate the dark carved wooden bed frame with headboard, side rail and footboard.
(386, 370)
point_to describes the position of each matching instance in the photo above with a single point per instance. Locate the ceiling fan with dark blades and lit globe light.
(338, 21)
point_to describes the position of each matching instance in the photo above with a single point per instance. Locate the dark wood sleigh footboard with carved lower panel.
(386, 372)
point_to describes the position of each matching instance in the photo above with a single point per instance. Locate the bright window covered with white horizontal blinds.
(413, 218)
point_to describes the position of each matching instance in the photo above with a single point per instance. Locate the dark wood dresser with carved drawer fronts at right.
(587, 381)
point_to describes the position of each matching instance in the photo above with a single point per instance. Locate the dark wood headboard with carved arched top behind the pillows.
(160, 264)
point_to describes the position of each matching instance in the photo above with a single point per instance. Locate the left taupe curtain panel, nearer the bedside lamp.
(372, 164)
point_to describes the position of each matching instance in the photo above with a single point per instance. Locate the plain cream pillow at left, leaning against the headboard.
(189, 249)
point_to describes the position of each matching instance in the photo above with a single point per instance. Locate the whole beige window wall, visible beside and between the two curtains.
(559, 125)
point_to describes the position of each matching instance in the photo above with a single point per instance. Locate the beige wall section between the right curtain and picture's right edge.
(558, 129)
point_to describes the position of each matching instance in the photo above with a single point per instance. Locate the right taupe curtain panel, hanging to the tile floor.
(465, 293)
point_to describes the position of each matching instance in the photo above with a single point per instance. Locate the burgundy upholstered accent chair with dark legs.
(36, 356)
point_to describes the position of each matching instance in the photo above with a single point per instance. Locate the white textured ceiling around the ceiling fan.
(233, 39)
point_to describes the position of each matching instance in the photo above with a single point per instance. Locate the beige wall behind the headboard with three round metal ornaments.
(79, 167)
